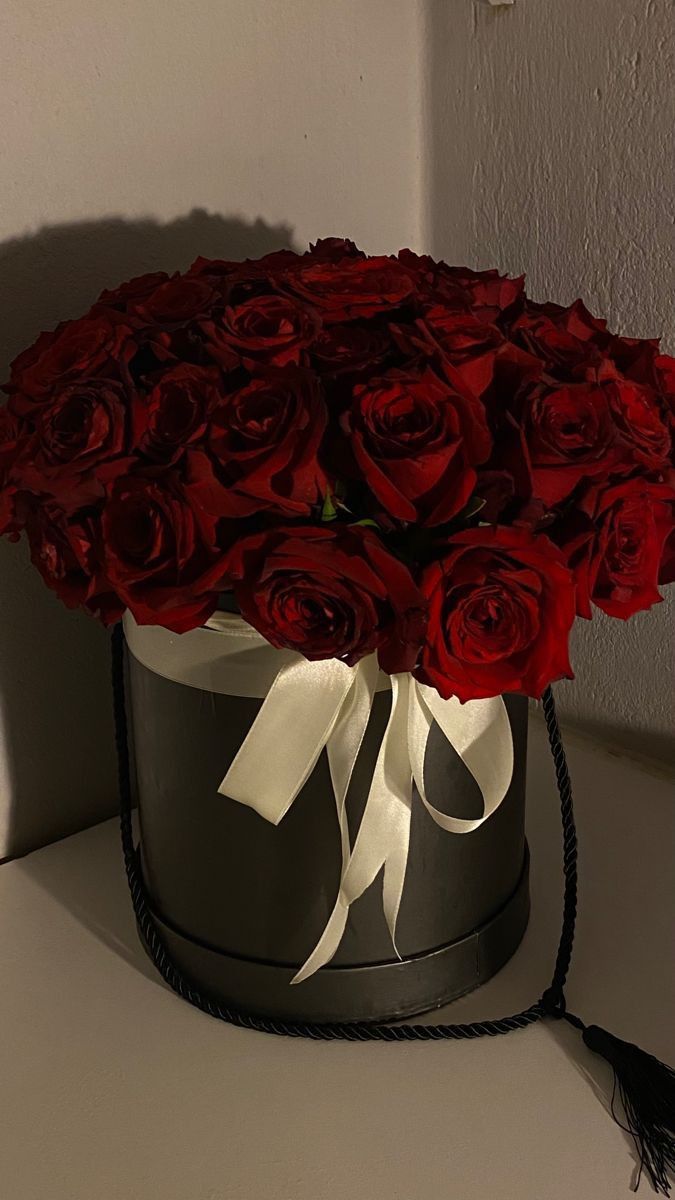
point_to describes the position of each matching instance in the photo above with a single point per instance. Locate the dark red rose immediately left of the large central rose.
(264, 442)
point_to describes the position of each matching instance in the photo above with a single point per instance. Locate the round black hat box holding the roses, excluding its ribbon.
(242, 903)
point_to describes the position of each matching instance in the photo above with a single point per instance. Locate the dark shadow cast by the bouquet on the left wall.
(57, 760)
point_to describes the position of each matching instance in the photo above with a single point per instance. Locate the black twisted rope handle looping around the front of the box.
(552, 1004)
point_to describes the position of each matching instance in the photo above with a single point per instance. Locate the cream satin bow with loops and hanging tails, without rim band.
(316, 705)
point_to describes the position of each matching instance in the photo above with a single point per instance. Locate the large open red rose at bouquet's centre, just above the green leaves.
(417, 441)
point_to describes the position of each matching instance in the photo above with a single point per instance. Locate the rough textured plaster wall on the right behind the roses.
(551, 137)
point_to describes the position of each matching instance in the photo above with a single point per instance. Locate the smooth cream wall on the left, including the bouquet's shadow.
(280, 122)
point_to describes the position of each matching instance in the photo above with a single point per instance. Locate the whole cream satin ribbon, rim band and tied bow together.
(312, 706)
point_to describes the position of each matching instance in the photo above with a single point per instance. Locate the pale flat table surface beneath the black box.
(114, 1089)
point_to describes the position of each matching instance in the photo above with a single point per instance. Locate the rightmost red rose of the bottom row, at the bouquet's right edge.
(614, 543)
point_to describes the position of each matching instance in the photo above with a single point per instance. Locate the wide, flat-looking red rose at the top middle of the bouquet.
(351, 289)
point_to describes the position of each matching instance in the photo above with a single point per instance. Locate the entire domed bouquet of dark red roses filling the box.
(374, 454)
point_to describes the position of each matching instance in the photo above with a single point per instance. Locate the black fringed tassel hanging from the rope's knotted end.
(647, 1088)
